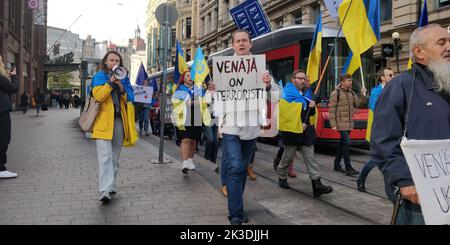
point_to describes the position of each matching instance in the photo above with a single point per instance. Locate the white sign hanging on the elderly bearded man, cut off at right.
(429, 163)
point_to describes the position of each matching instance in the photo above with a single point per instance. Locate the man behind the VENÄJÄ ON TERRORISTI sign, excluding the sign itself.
(239, 142)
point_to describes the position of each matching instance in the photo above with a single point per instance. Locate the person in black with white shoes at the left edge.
(8, 86)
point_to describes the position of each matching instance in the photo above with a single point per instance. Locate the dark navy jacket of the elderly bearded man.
(429, 119)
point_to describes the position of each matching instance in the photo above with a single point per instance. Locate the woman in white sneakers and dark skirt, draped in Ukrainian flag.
(190, 112)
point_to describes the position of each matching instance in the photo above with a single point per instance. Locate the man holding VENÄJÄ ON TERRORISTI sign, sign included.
(242, 82)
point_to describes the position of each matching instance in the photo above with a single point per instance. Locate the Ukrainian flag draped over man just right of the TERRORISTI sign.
(290, 109)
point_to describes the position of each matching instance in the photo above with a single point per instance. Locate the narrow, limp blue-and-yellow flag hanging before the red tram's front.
(315, 53)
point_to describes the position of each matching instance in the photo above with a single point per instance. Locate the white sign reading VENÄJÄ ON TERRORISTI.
(239, 85)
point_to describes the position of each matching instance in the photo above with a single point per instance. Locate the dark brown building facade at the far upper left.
(23, 42)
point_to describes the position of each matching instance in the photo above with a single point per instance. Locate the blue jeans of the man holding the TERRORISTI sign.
(237, 154)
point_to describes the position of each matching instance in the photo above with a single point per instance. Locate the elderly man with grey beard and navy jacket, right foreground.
(425, 89)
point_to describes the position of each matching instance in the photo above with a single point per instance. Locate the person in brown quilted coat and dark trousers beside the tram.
(343, 106)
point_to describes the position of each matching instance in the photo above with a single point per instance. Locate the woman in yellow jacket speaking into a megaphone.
(114, 125)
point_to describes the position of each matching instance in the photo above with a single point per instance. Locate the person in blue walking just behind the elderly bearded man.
(385, 75)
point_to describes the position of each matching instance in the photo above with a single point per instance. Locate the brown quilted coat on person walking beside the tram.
(342, 106)
